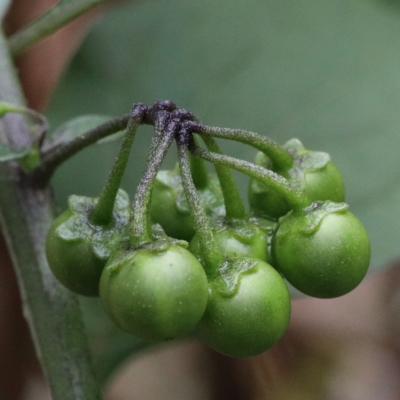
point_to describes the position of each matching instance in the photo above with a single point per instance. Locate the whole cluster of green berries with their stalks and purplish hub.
(185, 257)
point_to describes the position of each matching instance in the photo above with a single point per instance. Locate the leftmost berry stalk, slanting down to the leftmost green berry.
(103, 211)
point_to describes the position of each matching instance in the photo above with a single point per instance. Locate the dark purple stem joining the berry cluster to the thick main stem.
(55, 156)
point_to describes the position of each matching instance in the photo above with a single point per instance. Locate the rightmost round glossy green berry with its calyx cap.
(323, 251)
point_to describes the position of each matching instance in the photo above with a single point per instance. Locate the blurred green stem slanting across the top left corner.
(48, 23)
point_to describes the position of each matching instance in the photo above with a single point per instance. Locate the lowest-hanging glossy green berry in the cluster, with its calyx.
(248, 310)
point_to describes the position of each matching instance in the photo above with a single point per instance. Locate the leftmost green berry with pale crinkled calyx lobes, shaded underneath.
(77, 250)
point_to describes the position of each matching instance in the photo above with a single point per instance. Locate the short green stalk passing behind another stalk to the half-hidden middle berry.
(234, 205)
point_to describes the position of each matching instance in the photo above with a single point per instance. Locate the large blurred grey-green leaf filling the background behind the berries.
(326, 72)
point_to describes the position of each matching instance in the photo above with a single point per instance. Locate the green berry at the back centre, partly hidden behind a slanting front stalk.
(169, 206)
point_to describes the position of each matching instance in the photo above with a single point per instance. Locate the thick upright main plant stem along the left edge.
(52, 312)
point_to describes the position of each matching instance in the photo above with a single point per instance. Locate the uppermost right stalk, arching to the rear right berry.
(276, 153)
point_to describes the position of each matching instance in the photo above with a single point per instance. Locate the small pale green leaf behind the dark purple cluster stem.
(78, 126)
